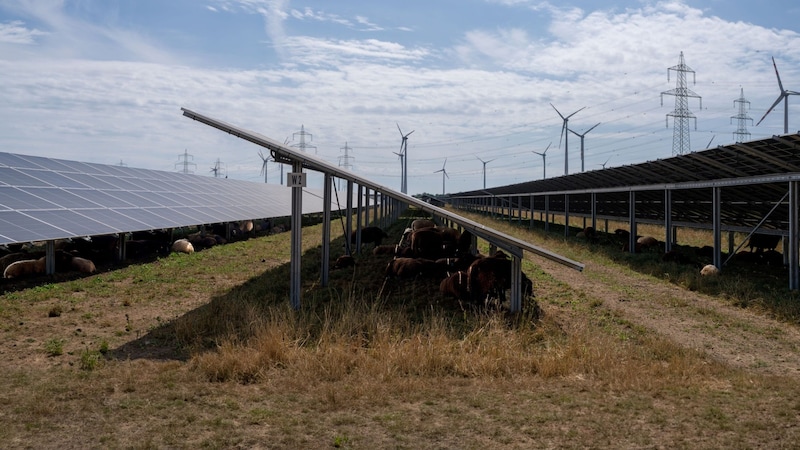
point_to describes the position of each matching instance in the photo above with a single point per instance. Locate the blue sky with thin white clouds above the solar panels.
(468, 81)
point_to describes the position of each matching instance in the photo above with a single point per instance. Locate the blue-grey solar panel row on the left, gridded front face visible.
(44, 198)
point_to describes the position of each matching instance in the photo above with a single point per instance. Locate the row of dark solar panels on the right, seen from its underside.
(755, 173)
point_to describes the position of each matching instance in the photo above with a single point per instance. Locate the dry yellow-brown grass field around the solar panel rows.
(203, 351)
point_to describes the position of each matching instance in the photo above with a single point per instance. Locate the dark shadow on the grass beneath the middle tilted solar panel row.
(238, 314)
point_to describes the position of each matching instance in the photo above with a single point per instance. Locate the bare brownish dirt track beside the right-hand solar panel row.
(733, 336)
